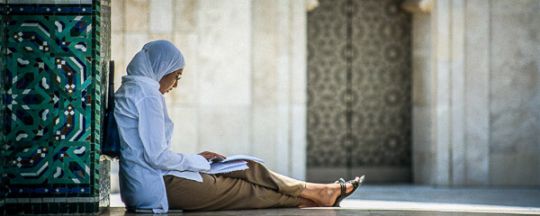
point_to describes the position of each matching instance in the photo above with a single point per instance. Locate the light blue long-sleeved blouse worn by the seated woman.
(145, 134)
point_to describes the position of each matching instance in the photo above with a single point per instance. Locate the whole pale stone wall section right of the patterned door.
(476, 122)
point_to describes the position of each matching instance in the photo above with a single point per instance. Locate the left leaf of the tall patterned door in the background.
(326, 80)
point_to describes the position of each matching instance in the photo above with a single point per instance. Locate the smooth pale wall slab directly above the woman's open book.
(224, 76)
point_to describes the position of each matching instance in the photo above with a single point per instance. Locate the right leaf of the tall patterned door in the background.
(382, 82)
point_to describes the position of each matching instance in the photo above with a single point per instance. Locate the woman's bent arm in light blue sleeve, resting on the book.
(152, 134)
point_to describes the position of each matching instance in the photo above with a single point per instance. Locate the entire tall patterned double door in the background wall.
(359, 78)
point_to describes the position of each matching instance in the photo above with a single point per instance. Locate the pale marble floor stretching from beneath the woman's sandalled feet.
(404, 200)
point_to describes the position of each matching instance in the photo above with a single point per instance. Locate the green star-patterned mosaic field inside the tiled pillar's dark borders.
(48, 100)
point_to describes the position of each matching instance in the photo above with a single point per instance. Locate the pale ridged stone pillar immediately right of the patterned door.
(450, 67)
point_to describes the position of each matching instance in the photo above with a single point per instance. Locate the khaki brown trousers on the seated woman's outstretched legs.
(254, 188)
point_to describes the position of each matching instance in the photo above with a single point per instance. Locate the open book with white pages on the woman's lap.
(232, 163)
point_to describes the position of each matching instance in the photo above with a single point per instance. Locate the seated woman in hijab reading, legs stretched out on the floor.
(153, 177)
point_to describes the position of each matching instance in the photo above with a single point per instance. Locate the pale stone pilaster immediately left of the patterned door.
(279, 84)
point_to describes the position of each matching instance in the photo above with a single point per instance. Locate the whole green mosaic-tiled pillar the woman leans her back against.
(51, 86)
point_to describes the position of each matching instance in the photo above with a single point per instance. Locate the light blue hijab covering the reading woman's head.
(155, 60)
